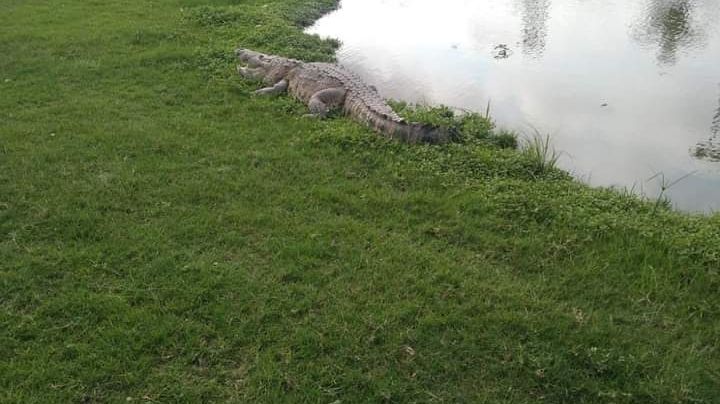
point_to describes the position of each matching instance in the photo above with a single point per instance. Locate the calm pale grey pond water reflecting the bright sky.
(626, 89)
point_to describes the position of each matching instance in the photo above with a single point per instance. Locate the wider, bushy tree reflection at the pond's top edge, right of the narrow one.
(669, 24)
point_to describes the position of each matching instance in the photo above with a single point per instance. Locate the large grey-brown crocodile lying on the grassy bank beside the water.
(325, 87)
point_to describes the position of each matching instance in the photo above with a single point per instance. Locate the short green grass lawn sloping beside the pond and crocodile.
(167, 237)
